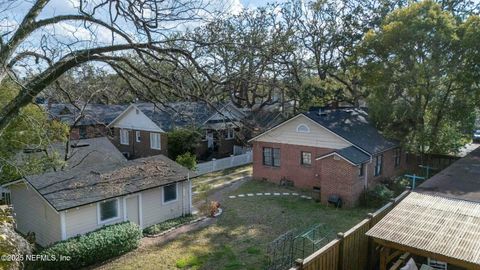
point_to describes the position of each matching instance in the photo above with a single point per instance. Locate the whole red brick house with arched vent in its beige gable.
(335, 152)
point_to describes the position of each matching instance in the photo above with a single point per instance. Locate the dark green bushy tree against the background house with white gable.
(181, 141)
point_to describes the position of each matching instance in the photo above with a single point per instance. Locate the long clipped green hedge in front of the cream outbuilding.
(94, 247)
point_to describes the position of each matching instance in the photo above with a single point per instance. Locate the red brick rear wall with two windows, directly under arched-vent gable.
(290, 167)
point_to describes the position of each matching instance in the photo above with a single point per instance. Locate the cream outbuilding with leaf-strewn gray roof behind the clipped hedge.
(101, 191)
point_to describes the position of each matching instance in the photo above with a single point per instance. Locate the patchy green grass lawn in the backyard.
(239, 238)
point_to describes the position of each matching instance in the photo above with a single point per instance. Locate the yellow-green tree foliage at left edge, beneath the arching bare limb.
(30, 129)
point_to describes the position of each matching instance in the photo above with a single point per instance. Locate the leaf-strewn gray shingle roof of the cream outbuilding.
(81, 186)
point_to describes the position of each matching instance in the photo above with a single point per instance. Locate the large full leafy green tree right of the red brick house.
(416, 67)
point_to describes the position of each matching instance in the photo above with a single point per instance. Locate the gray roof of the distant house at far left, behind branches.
(93, 113)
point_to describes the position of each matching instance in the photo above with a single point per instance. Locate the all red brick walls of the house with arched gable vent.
(334, 176)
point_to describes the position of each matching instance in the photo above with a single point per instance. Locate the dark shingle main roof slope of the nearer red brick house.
(352, 124)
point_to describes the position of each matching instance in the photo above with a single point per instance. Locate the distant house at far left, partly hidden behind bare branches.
(93, 121)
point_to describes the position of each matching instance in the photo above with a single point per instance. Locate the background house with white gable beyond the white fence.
(141, 129)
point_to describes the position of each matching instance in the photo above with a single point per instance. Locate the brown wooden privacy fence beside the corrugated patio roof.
(352, 250)
